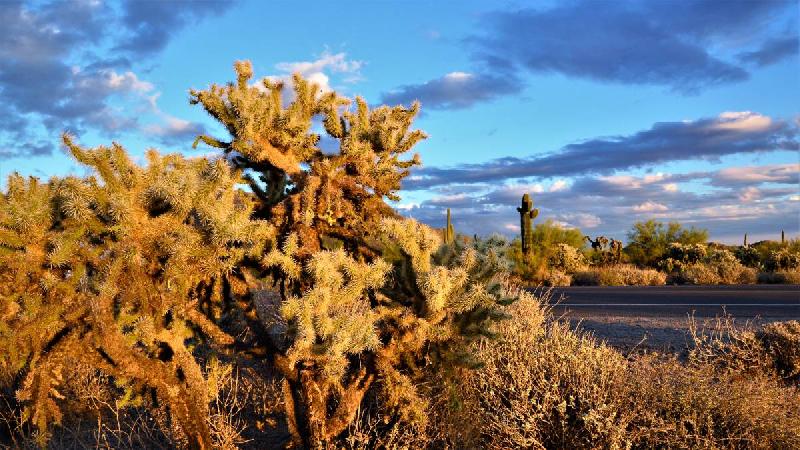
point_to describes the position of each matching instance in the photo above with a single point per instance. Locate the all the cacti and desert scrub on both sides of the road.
(163, 305)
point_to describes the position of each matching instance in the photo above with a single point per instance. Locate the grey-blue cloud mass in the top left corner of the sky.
(52, 79)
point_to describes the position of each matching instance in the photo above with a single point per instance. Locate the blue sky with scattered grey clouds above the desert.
(606, 112)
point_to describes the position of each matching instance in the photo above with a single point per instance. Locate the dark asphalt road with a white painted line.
(768, 302)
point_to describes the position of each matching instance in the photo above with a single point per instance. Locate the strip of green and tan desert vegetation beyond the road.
(656, 254)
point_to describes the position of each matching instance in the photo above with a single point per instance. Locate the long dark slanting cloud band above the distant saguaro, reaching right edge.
(709, 138)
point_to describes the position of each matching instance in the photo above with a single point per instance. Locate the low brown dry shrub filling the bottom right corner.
(696, 406)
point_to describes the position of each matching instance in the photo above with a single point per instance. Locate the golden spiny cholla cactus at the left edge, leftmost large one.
(110, 271)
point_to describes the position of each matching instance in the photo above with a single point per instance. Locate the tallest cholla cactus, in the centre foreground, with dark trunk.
(353, 320)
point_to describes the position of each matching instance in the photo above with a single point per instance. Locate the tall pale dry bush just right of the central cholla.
(543, 386)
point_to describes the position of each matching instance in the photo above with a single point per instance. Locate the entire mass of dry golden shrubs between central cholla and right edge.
(546, 386)
